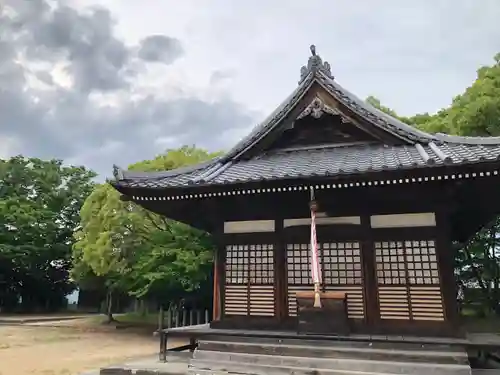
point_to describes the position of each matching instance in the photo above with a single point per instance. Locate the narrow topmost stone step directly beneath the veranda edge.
(333, 342)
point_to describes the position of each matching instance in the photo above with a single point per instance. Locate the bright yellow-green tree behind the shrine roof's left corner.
(135, 250)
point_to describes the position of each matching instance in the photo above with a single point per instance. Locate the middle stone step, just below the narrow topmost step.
(335, 351)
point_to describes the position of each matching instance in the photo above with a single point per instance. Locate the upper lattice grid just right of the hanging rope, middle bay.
(341, 263)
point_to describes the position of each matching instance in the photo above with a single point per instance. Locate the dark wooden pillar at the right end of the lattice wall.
(446, 262)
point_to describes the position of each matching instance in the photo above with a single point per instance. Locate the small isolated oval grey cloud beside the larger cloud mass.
(160, 48)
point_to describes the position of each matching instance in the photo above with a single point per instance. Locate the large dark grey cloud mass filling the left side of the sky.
(44, 115)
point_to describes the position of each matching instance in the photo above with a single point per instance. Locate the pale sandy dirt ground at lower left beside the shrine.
(68, 348)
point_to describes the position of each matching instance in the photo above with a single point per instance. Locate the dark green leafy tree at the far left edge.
(39, 206)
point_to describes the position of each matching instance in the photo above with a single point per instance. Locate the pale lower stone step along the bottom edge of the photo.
(203, 358)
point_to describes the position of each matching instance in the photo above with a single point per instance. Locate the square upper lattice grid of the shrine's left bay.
(252, 264)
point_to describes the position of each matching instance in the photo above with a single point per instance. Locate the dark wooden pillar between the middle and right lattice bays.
(372, 314)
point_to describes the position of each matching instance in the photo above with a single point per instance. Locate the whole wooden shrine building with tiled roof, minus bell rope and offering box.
(392, 202)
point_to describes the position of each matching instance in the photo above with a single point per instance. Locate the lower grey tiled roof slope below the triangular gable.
(331, 162)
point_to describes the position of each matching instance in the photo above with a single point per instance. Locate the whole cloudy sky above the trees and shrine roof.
(98, 82)
